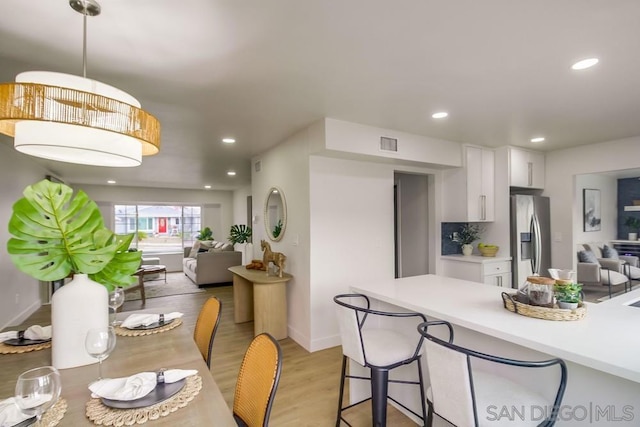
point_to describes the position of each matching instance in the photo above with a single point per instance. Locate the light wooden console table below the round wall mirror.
(261, 298)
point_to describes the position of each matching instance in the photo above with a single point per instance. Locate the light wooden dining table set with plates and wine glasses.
(173, 349)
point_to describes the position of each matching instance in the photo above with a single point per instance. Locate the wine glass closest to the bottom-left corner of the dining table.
(37, 390)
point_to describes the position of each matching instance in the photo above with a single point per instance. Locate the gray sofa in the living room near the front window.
(210, 267)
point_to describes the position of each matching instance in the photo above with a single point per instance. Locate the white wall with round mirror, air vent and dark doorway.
(340, 217)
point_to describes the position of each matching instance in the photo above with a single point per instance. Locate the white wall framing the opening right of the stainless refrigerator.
(566, 203)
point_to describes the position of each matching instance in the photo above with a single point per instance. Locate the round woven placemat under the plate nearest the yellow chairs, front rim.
(105, 416)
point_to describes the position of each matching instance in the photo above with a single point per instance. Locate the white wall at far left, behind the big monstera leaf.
(19, 293)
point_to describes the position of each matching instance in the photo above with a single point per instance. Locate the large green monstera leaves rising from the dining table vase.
(56, 234)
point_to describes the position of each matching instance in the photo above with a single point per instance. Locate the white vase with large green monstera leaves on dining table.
(57, 235)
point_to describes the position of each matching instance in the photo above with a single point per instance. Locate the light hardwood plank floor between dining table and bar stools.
(308, 392)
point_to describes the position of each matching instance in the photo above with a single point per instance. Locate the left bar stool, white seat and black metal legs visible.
(378, 349)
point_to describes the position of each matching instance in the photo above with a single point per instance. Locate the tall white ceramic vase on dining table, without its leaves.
(76, 307)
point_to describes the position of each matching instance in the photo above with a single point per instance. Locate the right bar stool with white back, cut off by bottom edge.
(466, 396)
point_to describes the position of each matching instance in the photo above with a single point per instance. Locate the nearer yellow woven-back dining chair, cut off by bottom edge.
(257, 382)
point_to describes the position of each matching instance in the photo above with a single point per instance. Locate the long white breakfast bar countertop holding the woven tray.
(606, 339)
